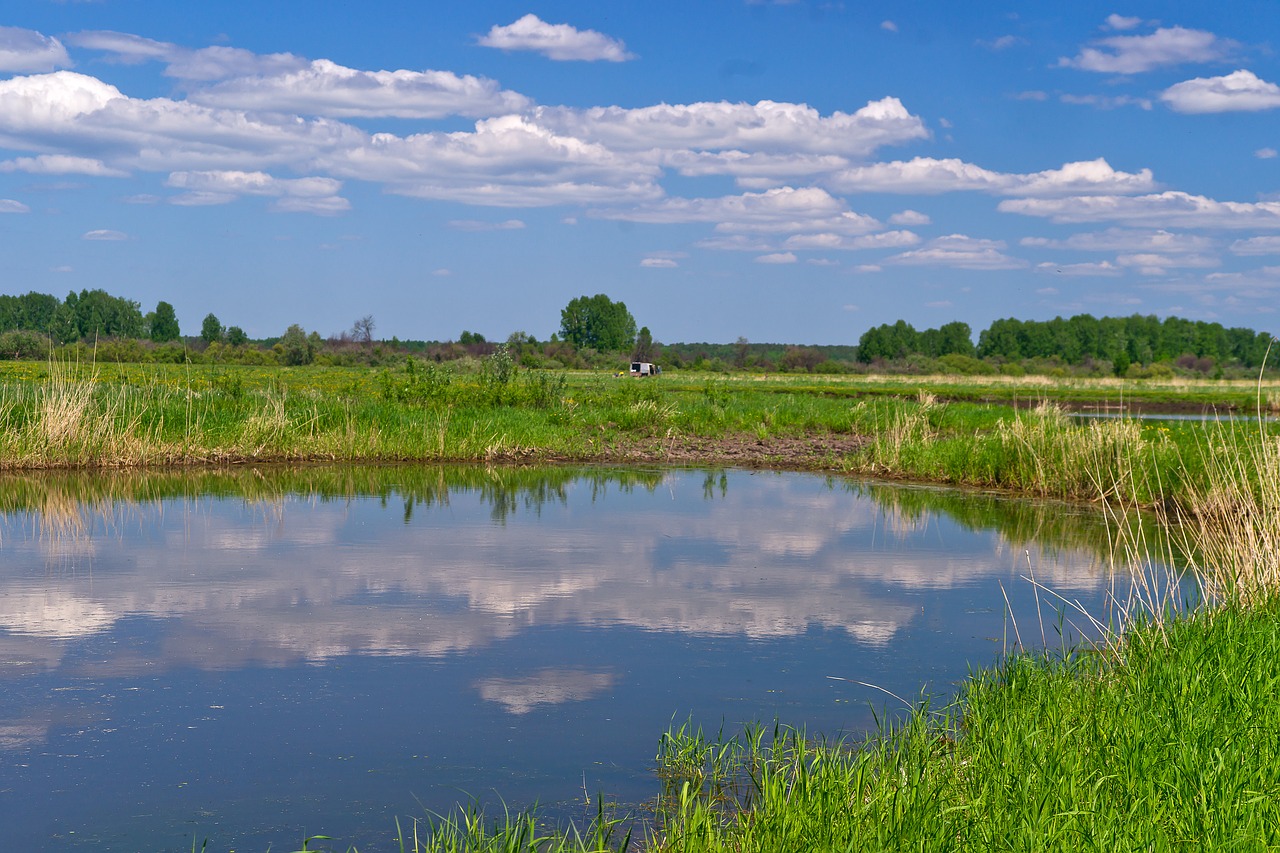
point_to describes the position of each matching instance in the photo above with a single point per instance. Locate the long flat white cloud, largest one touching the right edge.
(1159, 211)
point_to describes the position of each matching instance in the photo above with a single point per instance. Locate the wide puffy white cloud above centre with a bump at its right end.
(766, 126)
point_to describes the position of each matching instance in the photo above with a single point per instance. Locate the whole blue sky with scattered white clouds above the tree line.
(787, 172)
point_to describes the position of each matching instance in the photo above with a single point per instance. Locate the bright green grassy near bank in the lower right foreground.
(1162, 742)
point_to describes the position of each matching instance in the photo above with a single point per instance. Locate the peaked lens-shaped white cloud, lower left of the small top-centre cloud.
(328, 89)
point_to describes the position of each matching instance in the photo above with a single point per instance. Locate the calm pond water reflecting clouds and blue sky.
(258, 656)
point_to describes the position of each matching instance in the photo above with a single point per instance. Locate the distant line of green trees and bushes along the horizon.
(1139, 346)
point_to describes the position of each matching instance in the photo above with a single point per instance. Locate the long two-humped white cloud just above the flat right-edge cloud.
(927, 175)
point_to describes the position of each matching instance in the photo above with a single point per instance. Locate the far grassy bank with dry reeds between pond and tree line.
(159, 416)
